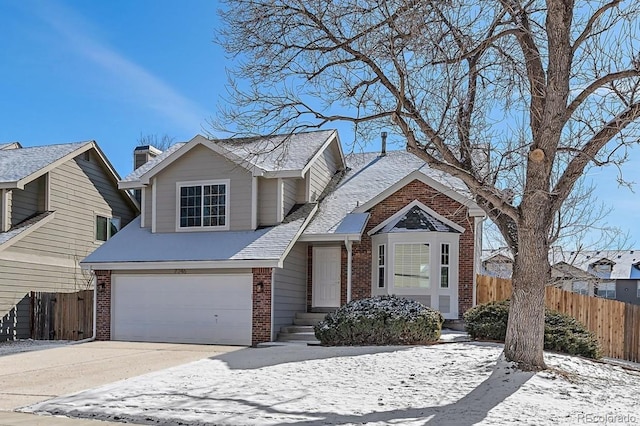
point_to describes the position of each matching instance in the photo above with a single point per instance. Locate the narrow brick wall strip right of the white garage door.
(261, 322)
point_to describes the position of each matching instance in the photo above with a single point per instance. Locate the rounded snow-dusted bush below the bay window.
(380, 320)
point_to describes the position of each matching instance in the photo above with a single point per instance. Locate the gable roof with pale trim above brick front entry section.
(372, 178)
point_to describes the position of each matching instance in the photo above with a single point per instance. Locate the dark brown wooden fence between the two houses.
(62, 316)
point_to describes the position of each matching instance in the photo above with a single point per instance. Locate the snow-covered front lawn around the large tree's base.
(447, 384)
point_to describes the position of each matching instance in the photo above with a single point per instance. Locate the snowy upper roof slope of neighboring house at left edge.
(17, 164)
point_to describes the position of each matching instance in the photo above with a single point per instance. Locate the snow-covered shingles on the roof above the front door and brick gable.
(370, 175)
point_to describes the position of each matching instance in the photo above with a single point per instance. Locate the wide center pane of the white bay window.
(411, 267)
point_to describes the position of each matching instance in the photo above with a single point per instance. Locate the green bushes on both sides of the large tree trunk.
(562, 333)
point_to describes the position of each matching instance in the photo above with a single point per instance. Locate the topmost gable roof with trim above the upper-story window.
(269, 156)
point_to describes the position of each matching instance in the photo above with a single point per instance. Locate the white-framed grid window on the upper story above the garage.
(203, 205)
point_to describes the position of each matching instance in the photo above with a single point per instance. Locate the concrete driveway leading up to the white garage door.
(30, 377)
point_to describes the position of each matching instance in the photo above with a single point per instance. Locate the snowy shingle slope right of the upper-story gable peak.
(280, 152)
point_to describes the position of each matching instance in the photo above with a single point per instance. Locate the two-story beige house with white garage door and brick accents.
(238, 236)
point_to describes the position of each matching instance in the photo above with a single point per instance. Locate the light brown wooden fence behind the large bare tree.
(615, 324)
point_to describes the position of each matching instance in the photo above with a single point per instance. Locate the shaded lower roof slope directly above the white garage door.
(136, 244)
